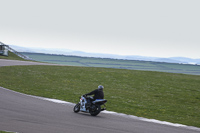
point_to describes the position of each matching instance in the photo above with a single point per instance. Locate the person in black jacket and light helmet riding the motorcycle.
(98, 94)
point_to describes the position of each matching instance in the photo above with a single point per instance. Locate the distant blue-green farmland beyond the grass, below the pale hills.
(114, 63)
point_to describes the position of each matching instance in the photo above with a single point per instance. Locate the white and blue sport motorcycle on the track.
(88, 106)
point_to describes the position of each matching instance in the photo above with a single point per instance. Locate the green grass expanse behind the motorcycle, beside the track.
(157, 95)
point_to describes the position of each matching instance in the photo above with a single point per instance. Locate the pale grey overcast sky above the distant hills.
(158, 28)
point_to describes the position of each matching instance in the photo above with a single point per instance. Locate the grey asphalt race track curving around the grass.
(27, 114)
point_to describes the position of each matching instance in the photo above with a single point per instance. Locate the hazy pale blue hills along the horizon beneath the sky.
(182, 60)
